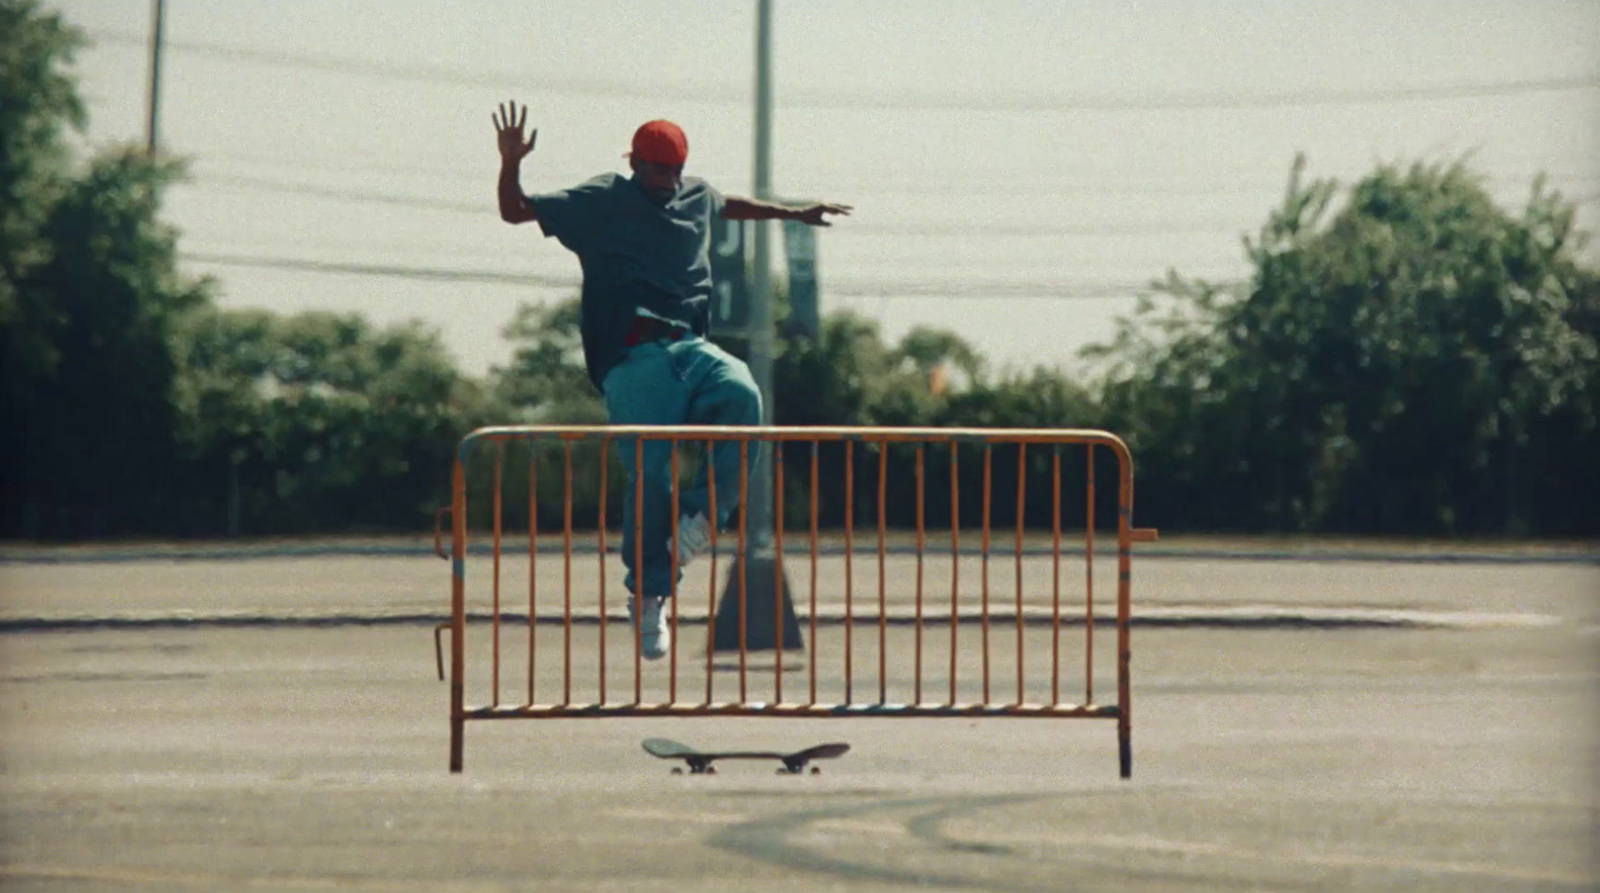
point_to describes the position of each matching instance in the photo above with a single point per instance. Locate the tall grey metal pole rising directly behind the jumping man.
(762, 346)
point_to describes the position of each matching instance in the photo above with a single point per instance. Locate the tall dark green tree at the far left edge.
(89, 305)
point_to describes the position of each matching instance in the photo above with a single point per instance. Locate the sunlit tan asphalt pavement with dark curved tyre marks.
(222, 737)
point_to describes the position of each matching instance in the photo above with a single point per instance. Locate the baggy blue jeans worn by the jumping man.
(689, 382)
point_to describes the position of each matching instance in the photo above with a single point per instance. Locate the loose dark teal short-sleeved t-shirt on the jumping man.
(634, 252)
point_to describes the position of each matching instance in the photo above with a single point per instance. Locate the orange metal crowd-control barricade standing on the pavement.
(553, 638)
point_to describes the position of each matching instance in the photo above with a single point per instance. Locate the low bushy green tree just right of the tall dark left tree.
(319, 422)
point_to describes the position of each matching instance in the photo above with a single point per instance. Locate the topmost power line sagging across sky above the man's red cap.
(902, 100)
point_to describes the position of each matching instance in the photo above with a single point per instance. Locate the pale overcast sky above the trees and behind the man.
(1018, 169)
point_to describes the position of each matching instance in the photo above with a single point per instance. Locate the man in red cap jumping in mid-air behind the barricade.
(642, 244)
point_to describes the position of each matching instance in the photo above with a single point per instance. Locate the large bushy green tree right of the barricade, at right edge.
(1388, 369)
